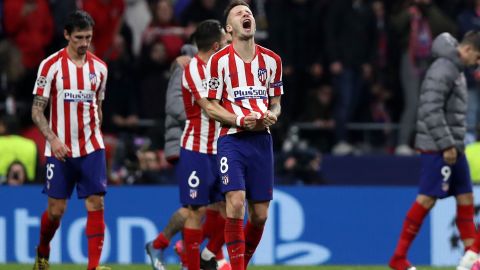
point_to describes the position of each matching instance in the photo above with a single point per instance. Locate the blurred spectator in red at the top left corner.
(29, 24)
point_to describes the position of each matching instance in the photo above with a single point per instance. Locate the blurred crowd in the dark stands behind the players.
(351, 70)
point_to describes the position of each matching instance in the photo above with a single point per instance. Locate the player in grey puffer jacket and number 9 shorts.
(440, 135)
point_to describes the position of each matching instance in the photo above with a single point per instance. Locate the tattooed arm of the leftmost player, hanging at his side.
(59, 149)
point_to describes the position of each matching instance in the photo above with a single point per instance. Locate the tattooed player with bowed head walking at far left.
(73, 80)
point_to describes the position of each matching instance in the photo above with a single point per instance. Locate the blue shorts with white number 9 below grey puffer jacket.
(439, 180)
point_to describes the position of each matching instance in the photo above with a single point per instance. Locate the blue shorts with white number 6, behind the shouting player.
(198, 178)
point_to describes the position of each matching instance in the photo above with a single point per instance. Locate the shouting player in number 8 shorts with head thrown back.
(246, 80)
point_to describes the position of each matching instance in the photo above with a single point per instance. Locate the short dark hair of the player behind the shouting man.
(207, 33)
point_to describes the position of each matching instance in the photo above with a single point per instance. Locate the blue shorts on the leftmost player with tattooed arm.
(87, 172)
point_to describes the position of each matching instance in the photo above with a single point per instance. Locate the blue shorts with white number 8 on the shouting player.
(245, 161)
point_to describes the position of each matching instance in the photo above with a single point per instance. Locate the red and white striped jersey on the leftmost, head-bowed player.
(73, 93)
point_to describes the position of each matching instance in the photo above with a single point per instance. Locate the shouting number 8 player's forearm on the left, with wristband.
(220, 114)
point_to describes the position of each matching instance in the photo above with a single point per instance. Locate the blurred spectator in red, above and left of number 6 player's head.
(164, 30)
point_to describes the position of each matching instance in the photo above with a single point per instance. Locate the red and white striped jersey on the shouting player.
(244, 87)
